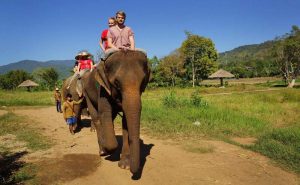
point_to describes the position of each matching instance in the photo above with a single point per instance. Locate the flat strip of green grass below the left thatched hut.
(24, 98)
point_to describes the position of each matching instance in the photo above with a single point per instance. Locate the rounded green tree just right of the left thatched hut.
(48, 76)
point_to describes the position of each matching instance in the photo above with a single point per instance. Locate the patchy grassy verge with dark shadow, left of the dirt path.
(17, 140)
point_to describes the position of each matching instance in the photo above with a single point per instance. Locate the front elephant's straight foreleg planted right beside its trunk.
(124, 162)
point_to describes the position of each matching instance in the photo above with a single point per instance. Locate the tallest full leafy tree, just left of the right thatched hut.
(200, 56)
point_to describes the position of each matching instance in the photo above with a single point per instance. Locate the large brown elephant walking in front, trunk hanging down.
(121, 78)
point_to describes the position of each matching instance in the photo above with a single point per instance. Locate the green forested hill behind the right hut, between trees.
(250, 60)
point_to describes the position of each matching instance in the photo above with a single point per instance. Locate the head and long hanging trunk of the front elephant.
(124, 76)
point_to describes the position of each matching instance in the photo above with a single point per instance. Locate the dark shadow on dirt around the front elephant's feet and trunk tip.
(144, 149)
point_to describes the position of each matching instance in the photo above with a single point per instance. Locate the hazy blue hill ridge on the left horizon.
(63, 67)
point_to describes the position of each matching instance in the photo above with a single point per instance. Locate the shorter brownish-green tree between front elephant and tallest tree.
(171, 67)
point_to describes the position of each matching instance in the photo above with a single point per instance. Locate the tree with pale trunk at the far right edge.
(287, 56)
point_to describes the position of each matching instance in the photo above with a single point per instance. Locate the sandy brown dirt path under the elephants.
(74, 160)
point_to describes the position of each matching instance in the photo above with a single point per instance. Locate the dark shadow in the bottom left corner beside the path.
(10, 165)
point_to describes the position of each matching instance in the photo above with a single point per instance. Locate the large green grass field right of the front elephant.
(271, 116)
